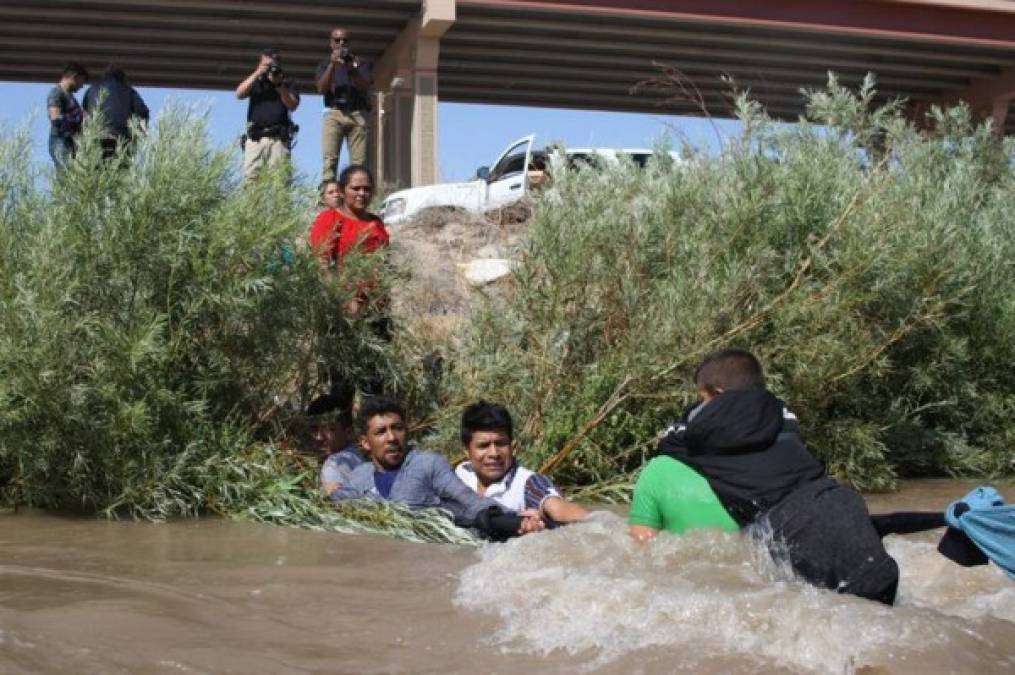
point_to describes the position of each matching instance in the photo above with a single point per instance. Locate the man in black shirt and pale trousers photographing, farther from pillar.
(269, 129)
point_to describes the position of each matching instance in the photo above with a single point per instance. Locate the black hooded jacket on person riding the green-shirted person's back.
(749, 447)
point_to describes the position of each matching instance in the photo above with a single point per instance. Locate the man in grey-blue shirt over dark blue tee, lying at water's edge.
(419, 479)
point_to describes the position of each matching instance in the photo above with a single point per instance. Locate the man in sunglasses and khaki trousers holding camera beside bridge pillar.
(345, 81)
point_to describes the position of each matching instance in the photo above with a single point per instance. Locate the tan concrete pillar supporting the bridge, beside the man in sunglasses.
(405, 80)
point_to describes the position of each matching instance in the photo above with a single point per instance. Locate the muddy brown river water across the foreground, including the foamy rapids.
(208, 596)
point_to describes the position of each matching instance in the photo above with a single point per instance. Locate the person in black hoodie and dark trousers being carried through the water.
(746, 442)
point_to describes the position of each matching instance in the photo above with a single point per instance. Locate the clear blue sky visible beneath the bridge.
(469, 136)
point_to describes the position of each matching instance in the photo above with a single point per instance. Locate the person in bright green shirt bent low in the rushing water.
(670, 496)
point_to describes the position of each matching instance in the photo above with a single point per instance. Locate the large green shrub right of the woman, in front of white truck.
(869, 265)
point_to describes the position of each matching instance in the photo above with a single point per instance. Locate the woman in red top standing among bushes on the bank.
(347, 225)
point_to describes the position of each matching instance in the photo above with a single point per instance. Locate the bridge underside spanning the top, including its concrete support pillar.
(582, 54)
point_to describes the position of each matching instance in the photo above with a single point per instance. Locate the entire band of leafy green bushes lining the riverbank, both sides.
(160, 324)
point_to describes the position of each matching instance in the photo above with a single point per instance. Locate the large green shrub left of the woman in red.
(156, 320)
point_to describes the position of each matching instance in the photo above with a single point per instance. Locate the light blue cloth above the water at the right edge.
(990, 523)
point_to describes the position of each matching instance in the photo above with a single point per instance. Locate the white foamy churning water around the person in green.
(706, 597)
